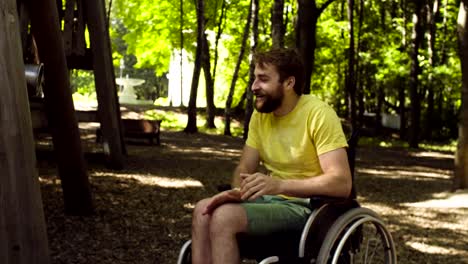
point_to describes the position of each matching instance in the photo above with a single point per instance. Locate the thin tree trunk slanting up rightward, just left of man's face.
(227, 109)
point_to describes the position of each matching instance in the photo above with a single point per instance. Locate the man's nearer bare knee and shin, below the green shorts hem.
(226, 222)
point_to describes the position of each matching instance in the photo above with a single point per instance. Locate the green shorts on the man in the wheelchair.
(270, 213)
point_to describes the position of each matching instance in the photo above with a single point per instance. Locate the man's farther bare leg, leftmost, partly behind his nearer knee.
(201, 244)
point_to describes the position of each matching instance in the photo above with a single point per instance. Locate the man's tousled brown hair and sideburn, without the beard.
(287, 63)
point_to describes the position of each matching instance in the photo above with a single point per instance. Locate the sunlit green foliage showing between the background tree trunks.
(145, 34)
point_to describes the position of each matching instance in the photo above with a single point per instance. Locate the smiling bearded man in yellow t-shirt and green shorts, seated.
(299, 140)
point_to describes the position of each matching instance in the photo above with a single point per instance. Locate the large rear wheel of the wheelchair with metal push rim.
(358, 236)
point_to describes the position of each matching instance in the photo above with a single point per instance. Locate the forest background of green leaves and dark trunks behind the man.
(365, 58)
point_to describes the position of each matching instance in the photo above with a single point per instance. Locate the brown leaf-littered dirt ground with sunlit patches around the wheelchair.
(143, 213)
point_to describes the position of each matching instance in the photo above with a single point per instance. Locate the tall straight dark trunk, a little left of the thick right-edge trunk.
(417, 37)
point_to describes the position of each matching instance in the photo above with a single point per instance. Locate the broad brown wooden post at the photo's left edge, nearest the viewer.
(23, 236)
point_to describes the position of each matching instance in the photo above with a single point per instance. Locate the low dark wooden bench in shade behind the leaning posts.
(138, 128)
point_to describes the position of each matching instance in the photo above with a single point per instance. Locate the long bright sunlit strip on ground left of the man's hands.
(150, 179)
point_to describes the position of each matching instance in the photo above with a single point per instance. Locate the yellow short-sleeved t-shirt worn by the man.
(289, 145)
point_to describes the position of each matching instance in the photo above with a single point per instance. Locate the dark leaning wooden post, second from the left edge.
(59, 107)
